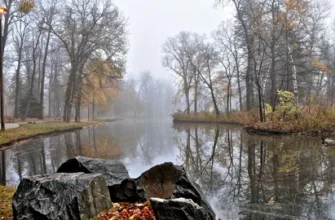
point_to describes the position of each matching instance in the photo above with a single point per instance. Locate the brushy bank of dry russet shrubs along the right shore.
(310, 120)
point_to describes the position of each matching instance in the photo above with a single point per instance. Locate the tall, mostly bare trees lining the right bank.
(269, 46)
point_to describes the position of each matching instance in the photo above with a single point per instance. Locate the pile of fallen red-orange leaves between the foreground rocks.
(128, 211)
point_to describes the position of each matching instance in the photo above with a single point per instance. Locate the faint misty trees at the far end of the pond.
(144, 96)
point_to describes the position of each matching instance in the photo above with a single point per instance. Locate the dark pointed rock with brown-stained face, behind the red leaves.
(167, 181)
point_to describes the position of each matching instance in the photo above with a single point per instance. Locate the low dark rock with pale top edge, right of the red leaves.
(181, 209)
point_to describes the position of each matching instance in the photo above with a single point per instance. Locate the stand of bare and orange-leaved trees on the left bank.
(61, 56)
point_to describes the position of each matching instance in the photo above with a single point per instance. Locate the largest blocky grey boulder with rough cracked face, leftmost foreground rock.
(61, 196)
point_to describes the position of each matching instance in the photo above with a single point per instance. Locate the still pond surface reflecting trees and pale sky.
(243, 176)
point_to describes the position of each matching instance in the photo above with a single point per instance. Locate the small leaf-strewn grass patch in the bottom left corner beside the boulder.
(6, 194)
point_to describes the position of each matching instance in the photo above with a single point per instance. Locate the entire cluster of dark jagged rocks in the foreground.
(72, 195)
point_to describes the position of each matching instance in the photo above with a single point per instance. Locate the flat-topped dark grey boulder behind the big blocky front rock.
(113, 171)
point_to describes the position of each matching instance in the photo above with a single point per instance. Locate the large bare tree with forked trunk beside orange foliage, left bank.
(88, 29)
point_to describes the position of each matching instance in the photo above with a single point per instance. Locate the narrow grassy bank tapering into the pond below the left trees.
(27, 131)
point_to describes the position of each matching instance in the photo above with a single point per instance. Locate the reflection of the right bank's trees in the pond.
(252, 177)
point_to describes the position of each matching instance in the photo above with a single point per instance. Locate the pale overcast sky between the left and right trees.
(151, 22)
